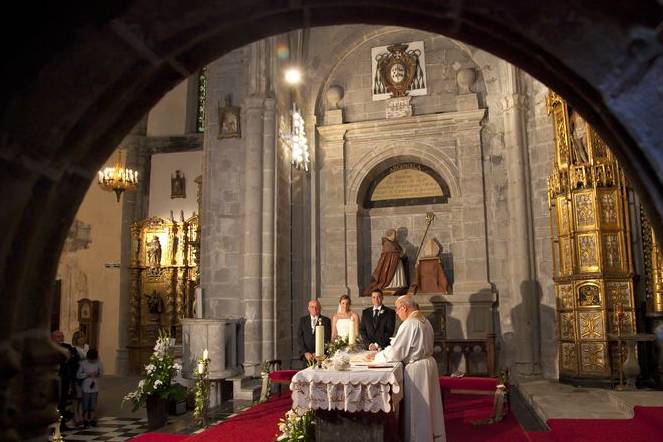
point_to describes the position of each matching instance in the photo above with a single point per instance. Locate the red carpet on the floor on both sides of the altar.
(259, 423)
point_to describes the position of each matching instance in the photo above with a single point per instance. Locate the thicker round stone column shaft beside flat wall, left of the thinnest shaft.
(252, 231)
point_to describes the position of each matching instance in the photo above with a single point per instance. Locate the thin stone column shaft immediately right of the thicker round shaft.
(268, 195)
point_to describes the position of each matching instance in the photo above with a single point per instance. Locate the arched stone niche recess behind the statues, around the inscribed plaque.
(406, 216)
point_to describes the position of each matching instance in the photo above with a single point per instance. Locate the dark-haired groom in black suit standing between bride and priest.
(377, 323)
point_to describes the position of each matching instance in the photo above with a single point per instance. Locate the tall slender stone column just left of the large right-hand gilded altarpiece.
(520, 254)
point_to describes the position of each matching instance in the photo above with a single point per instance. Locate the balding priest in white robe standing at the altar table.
(413, 345)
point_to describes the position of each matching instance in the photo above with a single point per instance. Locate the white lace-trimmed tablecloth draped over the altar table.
(358, 389)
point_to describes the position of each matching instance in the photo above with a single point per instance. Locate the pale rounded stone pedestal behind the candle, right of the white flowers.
(223, 338)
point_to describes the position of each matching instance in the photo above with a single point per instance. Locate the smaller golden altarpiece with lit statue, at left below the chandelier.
(164, 270)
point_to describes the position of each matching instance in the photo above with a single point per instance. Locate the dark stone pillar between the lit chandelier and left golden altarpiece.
(134, 208)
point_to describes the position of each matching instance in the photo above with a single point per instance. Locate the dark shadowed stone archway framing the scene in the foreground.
(81, 78)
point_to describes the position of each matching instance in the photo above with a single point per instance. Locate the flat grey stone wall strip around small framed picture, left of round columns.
(223, 173)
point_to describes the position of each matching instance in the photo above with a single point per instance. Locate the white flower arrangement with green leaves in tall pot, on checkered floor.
(157, 386)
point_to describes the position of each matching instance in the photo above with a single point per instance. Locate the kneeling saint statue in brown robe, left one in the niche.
(390, 271)
